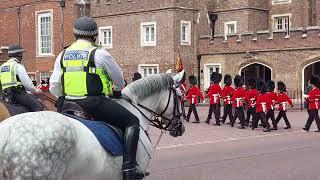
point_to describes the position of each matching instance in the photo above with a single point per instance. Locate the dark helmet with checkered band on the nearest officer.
(85, 27)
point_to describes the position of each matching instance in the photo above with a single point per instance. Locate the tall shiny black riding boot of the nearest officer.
(130, 169)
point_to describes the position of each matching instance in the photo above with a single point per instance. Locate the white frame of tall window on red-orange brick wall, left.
(39, 15)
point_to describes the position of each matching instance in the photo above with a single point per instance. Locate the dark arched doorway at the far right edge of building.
(307, 71)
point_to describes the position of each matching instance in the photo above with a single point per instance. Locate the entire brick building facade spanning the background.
(269, 39)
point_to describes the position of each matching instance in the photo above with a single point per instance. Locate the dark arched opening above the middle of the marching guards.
(256, 70)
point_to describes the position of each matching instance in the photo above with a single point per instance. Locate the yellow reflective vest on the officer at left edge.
(9, 76)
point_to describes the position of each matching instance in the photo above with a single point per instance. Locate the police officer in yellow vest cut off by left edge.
(15, 81)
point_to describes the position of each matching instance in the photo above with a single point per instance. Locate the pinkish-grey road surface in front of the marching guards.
(206, 152)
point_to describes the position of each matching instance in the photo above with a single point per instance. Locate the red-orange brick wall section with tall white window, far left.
(42, 27)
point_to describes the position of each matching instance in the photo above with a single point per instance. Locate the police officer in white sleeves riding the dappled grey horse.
(84, 74)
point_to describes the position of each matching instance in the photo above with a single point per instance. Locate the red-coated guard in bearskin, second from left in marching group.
(213, 94)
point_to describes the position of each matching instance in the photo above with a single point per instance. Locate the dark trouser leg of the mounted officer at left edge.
(27, 100)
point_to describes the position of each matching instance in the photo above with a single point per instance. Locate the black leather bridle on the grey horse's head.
(155, 121)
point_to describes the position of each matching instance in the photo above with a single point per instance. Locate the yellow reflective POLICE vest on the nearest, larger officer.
(80, 75)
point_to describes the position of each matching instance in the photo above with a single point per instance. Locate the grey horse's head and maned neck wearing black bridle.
(158, 99)
